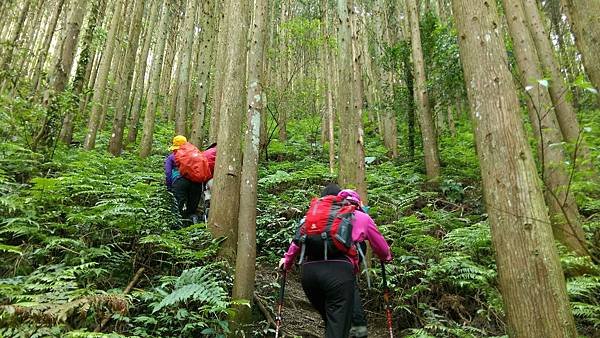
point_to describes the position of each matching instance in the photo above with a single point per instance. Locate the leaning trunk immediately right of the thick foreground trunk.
(564, 215)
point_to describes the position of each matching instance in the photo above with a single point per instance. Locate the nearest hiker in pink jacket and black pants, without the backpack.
(330, 284)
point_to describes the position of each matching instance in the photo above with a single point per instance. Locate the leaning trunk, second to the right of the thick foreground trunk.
(565, 113)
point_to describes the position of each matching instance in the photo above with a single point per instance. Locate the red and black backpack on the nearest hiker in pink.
(326, 232)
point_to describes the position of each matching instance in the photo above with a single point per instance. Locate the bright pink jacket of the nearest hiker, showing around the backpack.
(363, 228)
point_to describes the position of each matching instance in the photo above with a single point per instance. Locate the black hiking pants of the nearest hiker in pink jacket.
(329, 286)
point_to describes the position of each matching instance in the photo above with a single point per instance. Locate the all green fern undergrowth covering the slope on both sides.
(78, 226)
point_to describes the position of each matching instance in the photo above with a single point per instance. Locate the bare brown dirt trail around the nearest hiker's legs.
(299, 318)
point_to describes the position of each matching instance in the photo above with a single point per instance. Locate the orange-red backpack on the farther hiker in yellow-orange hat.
(193, 164)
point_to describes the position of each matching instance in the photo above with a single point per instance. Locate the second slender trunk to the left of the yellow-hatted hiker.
(115, 145)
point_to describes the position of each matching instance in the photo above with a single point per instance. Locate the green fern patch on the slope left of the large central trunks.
(73, 235)
